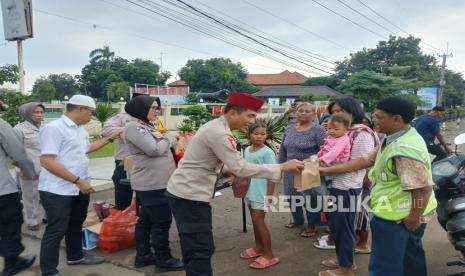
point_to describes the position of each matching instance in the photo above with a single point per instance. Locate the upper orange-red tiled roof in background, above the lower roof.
(283, 78)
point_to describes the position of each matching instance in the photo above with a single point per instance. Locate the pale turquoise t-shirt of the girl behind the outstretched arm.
(259, 186)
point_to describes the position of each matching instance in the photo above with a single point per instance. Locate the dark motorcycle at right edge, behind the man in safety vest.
(449, 188)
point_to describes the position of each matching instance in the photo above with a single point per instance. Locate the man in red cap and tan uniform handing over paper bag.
(191, 187)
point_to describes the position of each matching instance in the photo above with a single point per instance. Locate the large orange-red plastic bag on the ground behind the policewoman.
(118, 230)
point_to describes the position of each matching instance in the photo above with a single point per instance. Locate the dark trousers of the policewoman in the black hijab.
(154, 220)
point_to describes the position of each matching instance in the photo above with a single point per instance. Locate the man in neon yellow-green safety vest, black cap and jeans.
(402, 200)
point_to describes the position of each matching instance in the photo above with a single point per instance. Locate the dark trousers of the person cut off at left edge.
(11, 219)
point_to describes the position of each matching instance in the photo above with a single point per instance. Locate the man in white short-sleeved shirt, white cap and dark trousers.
(64, 183)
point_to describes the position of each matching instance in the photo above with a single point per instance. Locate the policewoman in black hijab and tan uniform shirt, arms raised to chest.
(153, 165)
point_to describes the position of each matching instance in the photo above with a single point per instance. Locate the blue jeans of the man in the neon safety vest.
(395, 250)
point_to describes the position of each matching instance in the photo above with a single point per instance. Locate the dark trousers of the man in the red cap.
(194, 222)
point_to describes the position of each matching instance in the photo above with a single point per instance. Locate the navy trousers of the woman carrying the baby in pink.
(342, 224)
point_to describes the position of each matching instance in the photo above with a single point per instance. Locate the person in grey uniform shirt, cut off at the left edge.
(11, 216)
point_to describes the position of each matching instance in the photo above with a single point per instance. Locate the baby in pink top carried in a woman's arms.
(336, 148)
